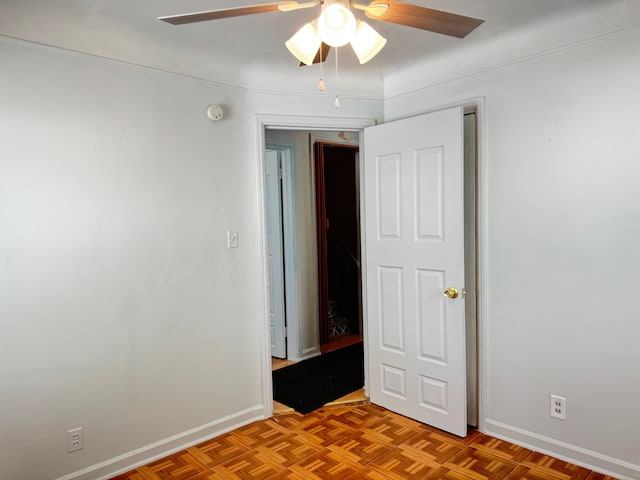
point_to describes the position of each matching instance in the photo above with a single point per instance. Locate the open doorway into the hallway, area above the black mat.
(322, 176)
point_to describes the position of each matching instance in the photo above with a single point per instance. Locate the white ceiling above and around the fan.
(249, 51)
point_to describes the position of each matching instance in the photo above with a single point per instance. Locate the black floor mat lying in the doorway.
(311, 383)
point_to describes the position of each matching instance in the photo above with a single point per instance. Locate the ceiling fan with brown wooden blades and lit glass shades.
(337, 26)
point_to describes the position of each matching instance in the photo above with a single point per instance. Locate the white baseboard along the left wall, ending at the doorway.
(149, 453)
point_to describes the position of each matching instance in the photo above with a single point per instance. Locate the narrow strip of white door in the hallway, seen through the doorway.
(275, 257)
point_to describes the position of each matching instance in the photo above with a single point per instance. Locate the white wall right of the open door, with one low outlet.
(561, 166)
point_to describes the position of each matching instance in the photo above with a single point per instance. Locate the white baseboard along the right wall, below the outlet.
(570, 453)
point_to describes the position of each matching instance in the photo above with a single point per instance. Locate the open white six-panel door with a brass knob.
(414, 228)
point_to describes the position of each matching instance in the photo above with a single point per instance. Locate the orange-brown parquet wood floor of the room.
(355, 441)
